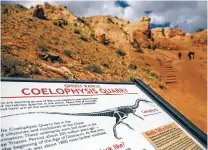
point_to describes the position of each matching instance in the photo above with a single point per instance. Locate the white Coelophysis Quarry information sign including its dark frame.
(66, 115)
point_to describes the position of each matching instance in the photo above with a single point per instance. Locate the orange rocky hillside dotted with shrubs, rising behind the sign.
(64, 46)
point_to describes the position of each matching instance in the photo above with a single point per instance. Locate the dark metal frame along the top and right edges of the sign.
(192, 129)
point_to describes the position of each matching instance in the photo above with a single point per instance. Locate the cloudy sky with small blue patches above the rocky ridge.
(188, 15)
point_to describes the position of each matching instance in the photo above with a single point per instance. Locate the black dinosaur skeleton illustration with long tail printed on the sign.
(120, 113)
